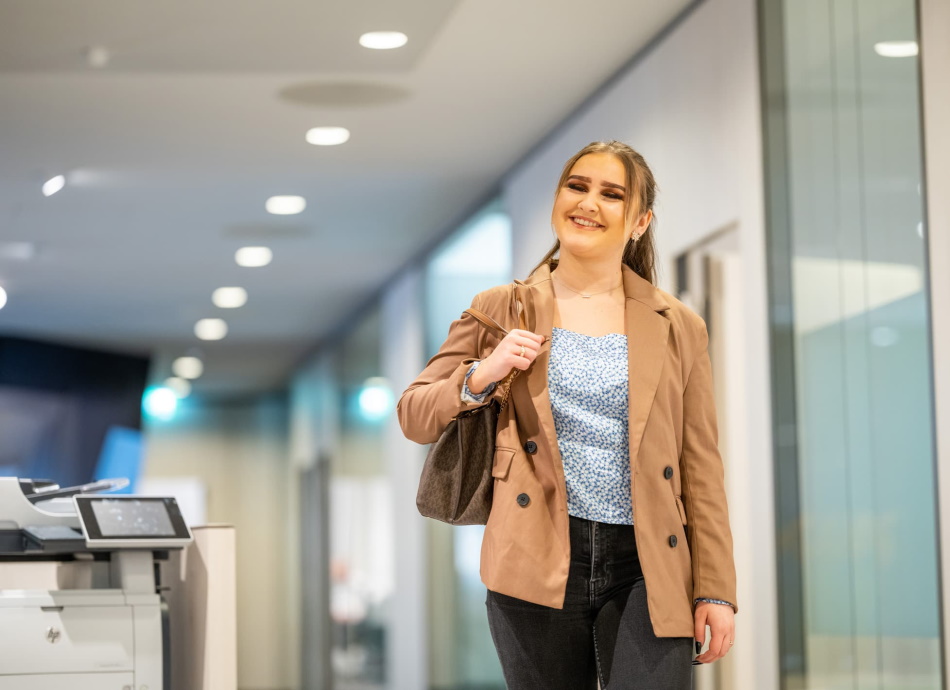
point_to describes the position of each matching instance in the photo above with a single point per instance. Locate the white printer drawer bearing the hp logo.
(68, 639)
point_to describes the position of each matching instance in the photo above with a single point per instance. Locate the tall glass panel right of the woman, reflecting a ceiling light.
(852, 372)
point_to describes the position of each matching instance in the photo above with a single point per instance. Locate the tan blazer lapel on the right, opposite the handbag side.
(647, 336)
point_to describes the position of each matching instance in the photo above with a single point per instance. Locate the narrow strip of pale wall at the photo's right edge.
(935, 67)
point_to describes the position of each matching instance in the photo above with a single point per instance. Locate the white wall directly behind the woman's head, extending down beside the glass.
(691, 107)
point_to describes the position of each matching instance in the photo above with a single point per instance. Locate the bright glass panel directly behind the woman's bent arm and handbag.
(477, 257)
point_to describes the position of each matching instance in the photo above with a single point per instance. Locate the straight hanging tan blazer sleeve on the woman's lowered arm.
(710, 538)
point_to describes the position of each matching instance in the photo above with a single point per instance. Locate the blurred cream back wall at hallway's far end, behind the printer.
(240, 453)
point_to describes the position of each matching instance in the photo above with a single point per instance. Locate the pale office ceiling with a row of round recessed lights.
(171, 149)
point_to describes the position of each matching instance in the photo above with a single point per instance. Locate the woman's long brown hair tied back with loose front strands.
(639, 255)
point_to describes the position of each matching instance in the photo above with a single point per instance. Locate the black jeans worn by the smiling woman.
(602, 633)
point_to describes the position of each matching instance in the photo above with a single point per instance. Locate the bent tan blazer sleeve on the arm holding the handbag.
(435, 398)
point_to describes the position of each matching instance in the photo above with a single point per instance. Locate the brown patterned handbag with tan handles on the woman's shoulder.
(456, 483)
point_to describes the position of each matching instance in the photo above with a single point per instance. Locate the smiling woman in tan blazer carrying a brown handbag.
(608, 549)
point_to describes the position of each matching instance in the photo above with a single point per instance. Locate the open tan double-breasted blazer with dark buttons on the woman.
(680, 517)
